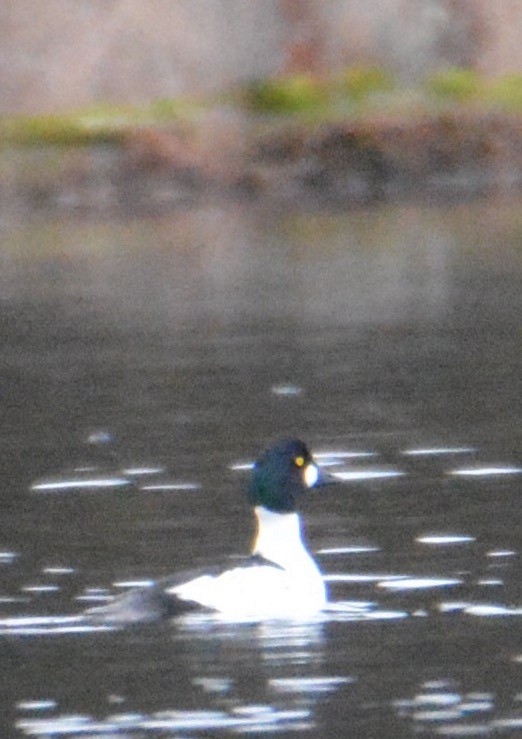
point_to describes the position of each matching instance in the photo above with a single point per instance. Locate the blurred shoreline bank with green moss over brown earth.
(378, 147)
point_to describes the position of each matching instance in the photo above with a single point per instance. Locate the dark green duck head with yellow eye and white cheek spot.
(282, 474)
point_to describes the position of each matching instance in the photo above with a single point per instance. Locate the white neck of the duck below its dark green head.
(279, 539)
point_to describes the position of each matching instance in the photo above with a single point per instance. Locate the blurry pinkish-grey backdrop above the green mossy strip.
(60, 54)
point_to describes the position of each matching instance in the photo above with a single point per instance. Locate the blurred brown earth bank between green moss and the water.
(339, 164)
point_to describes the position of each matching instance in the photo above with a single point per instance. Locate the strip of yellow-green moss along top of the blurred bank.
(358, 93)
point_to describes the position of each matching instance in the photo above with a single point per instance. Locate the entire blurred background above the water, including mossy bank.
(147, 106)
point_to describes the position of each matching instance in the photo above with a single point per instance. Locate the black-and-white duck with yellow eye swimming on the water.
(279, 579)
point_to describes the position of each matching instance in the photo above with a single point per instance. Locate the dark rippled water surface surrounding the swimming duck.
(390, 340)
